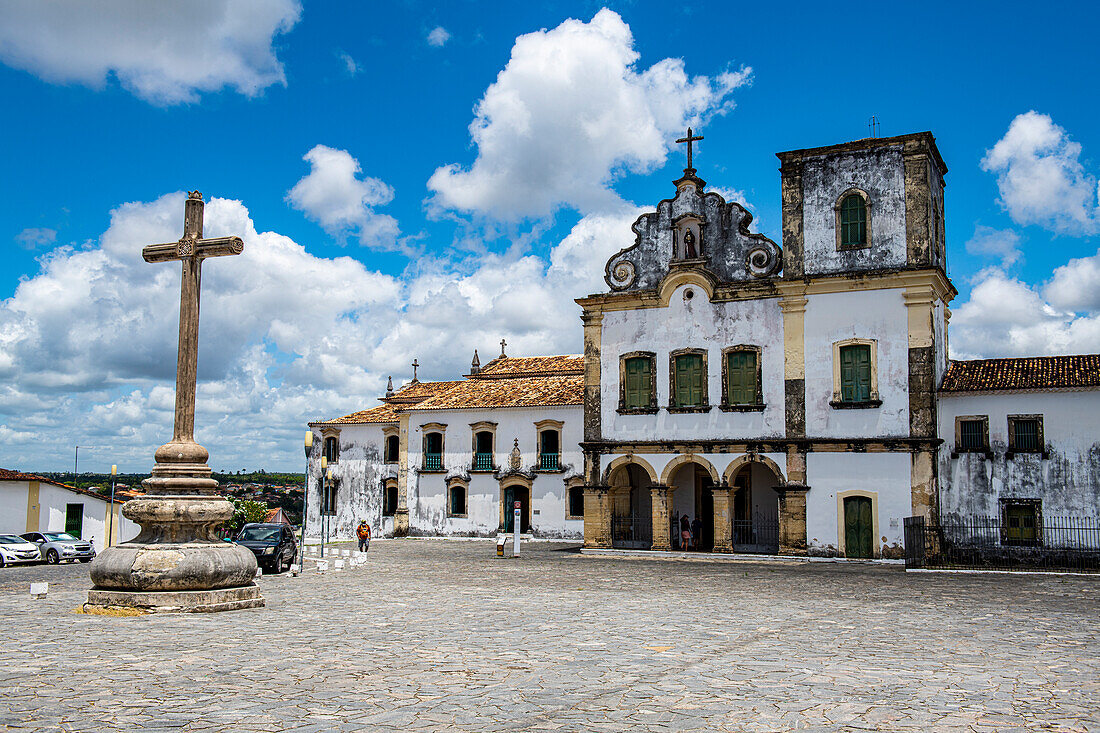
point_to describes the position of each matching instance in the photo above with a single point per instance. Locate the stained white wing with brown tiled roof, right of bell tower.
(1021, 441)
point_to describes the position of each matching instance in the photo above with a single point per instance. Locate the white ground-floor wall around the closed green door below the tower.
(886, 478)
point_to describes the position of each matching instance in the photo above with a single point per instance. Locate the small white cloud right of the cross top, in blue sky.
(335, 196)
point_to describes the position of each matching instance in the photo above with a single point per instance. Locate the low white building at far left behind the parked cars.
(32, 504)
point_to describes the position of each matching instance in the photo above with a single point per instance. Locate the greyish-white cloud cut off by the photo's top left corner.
(166, 53)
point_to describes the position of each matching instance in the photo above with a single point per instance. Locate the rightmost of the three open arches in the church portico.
(754, 508)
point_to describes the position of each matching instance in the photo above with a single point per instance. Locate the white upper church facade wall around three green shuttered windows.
(695, 323)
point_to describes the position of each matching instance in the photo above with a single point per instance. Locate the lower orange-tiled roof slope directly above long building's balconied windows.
(519, 392)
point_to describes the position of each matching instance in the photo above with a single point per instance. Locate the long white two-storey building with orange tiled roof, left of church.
(453, 458)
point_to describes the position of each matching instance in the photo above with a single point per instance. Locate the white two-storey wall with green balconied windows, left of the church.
(549, 489)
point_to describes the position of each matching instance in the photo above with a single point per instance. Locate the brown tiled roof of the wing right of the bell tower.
(1028, 374)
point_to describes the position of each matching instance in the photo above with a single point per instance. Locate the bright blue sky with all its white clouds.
(373, 251)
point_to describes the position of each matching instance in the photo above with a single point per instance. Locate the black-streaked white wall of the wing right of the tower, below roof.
(1068, 483)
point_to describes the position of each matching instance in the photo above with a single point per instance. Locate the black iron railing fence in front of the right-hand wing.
(983, 543)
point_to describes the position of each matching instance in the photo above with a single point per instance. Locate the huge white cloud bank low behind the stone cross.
(89, 345)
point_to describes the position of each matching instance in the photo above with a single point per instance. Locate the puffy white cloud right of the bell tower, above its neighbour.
(1041, 177)
